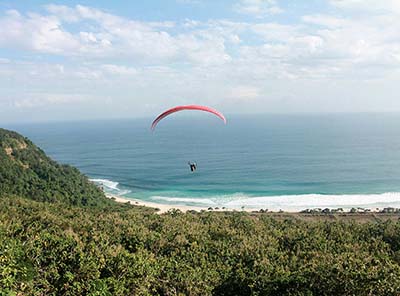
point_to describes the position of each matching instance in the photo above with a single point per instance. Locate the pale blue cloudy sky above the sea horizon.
(76, 60)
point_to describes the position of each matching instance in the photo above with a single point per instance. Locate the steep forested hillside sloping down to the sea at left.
(26, 171)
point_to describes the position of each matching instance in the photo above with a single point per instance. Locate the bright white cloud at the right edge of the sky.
(364, 40)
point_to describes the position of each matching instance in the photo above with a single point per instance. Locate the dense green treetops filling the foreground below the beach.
(50, 249)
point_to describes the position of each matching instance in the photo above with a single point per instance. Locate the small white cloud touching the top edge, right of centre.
(258, 8)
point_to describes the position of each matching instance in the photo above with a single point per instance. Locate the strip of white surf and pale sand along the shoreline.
(386, 202)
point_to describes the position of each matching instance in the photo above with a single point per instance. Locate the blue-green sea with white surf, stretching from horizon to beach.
(286, 162)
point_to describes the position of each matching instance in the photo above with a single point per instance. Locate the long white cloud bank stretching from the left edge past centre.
(106, 35)
